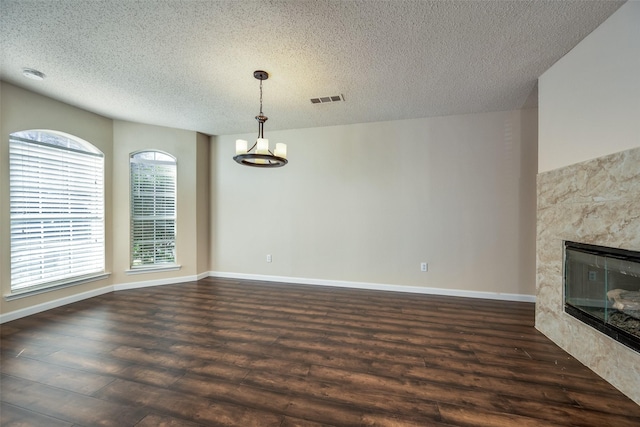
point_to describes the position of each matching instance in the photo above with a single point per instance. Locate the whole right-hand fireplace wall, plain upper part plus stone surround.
(590, 109)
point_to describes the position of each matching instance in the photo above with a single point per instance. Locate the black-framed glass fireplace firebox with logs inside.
(602, 289)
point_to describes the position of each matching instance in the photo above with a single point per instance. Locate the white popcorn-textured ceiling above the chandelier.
(189, 64)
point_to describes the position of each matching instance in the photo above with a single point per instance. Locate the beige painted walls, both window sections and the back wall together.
(364, 203)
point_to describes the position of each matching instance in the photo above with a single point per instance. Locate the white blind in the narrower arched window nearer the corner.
(153, 209)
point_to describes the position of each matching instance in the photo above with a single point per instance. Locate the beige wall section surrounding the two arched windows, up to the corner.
(22, 109)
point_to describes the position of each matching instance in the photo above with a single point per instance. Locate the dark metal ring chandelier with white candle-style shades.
(259, 154)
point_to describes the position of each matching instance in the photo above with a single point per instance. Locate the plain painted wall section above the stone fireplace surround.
(590, 99)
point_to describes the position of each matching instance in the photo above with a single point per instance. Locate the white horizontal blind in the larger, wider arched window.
(56, 208)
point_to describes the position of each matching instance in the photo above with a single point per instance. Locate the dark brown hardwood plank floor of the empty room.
(238, 353)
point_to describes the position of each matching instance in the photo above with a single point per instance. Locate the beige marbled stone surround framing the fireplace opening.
(595, 202)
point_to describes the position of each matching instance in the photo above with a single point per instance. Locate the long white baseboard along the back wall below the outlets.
(377, 286)
